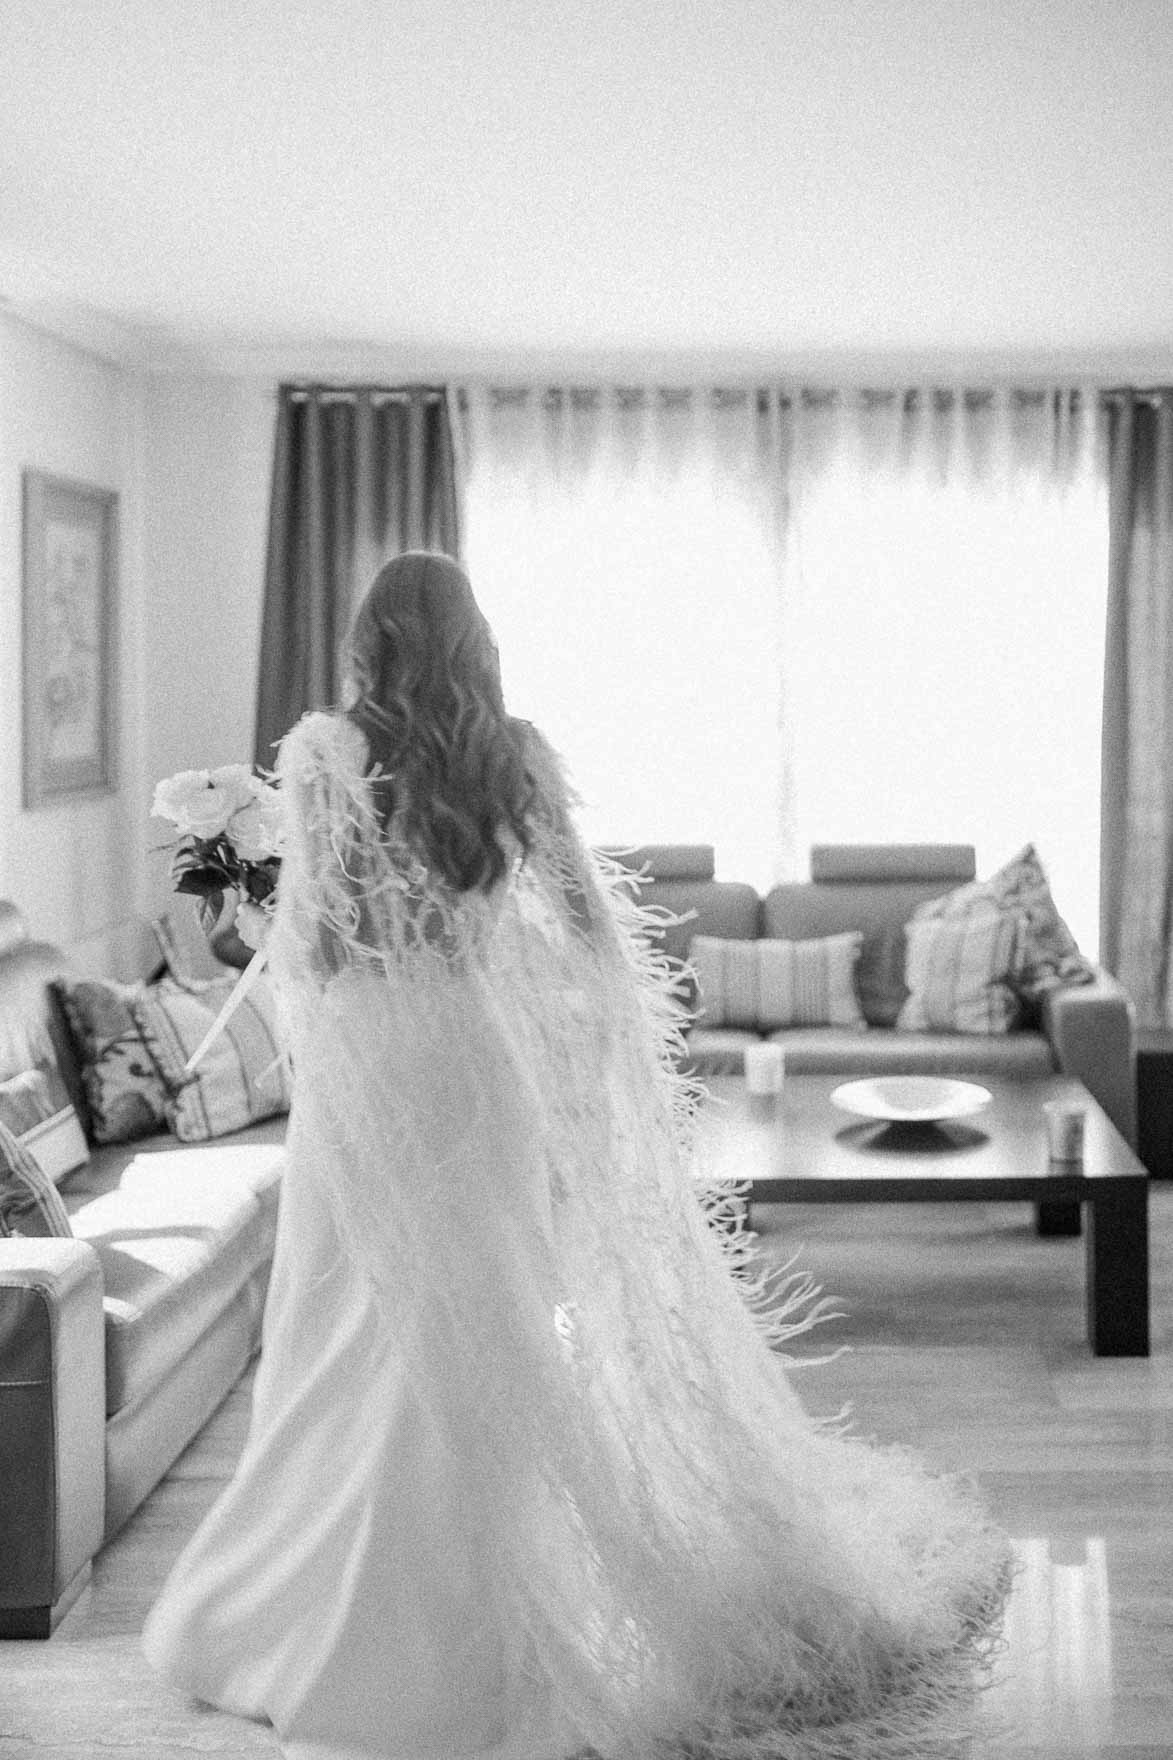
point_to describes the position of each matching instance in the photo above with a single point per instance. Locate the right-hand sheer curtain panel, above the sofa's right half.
(945, 624)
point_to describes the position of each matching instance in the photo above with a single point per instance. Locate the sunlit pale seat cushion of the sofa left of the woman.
(179, 1231)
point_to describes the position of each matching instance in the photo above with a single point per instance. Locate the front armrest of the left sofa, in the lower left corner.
(52, 1428)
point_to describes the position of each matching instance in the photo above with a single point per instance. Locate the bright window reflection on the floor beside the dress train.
(1054, 1682)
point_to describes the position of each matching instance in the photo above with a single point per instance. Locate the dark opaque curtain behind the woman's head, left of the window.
(360, 474)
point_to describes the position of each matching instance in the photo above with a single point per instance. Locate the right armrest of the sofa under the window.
(1093, 1034)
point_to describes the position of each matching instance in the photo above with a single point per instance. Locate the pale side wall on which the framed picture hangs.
(73, 869)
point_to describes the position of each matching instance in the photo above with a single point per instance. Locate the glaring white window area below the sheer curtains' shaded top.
(943, 666)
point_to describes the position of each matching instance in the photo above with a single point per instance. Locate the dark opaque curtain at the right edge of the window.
(1137, 840)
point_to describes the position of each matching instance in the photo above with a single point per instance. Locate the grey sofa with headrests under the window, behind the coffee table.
(1086, 1030)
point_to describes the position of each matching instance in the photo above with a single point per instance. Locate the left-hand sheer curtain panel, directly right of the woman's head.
(624, 546)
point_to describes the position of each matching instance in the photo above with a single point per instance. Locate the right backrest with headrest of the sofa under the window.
(873, 888)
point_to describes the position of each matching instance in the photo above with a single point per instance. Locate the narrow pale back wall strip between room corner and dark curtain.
(207, 487)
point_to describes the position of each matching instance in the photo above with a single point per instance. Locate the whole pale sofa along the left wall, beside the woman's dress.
(119, 1344)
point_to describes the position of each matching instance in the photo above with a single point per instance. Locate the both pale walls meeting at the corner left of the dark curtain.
(191, 464)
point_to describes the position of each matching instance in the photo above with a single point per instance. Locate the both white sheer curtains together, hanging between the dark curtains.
(771, 617)
